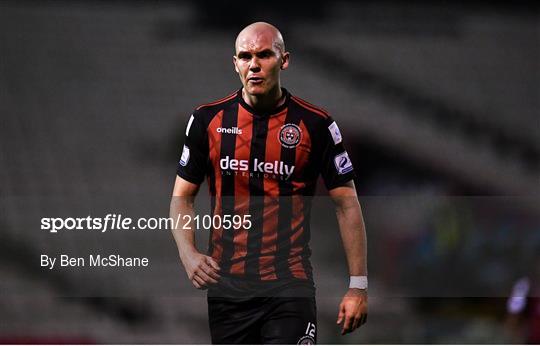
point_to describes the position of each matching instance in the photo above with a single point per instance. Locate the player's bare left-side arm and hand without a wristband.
(202, 270)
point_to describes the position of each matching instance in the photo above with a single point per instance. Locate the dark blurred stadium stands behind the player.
(439, 108)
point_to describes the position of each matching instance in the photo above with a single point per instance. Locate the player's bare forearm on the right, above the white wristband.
(353, 234)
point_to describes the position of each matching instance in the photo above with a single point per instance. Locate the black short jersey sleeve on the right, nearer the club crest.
(337, 168)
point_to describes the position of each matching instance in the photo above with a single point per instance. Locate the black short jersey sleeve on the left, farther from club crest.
(194, 158)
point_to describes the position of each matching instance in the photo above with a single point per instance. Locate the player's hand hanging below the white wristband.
(352, 310)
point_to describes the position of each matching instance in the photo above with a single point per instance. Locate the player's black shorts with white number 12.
(263, 320)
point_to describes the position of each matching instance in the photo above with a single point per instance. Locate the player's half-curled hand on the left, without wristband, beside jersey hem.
(202, 270)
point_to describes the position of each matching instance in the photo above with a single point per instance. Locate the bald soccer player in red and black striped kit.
(262, 150)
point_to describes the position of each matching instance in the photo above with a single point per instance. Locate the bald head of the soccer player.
(260, 55)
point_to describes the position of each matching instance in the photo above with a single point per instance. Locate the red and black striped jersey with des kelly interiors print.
(266, 166)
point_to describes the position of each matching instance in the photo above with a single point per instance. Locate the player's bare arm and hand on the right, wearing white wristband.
(353, 307)
